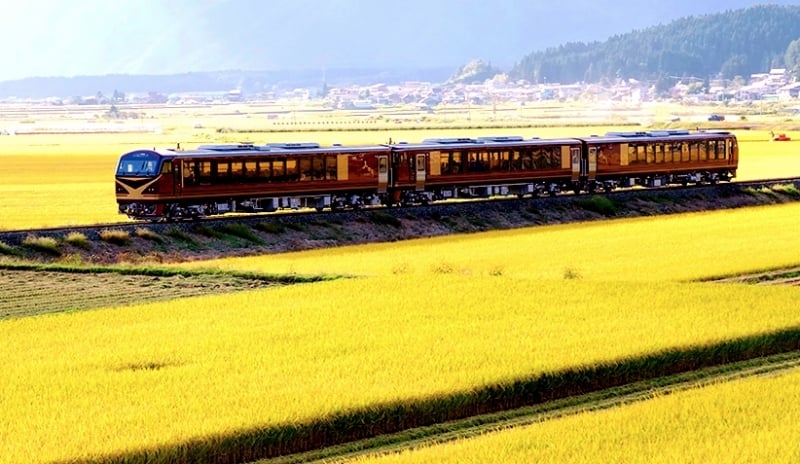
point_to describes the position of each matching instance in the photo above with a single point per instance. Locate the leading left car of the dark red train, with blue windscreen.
(216, 179)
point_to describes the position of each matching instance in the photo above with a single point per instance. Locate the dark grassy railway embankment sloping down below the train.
(137, 242)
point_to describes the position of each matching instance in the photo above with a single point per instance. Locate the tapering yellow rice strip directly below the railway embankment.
(651, 249)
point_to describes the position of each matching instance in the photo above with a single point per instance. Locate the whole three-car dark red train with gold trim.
(217, 179)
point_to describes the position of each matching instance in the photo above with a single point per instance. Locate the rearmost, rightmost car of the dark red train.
(657, 158)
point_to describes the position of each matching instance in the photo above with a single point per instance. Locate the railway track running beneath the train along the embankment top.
(471, 206)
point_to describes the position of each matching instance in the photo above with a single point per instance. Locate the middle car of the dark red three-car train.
(443, 168)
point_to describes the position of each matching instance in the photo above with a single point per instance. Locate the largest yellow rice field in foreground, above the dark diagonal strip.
(81, 385)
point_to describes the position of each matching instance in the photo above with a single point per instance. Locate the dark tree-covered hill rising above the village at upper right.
(739, 42)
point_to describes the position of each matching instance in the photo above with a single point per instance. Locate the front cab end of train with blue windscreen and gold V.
(142, 177)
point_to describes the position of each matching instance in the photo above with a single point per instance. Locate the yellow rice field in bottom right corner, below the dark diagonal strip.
(750, 420)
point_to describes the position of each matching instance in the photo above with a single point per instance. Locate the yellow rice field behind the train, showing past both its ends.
(50, 180)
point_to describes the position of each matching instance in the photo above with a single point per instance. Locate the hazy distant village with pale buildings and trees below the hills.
(774, 85)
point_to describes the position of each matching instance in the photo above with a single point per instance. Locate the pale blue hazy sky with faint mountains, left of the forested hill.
(91, 37)
